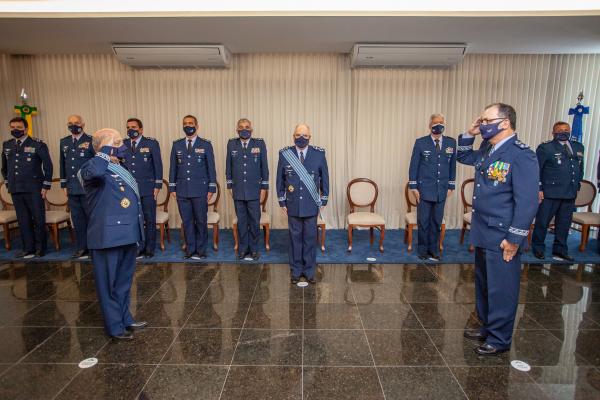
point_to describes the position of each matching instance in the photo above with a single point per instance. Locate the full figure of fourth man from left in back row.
(192, 181)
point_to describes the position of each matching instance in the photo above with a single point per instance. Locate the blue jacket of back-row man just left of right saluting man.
(433, 172)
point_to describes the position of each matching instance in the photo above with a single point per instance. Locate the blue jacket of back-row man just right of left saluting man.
(145, 164)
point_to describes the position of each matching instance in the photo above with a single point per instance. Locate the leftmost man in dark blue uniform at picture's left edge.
(27, 172)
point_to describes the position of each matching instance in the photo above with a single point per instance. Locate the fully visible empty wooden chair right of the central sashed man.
(363, 192)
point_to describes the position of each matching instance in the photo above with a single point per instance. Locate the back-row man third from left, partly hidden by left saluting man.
(144, 162)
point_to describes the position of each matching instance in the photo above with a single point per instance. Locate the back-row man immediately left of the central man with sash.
(247, 172)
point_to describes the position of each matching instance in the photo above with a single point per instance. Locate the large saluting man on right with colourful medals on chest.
(505, 201)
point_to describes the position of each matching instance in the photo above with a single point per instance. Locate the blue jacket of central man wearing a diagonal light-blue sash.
(292, 193)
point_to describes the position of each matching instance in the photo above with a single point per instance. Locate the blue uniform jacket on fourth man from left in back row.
(192, 174)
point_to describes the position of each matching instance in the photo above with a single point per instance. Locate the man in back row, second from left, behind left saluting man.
(75, 150)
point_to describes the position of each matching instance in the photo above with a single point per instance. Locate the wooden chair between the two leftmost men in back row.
(57, 213)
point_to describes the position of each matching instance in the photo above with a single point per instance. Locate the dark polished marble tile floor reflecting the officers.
(243, 332)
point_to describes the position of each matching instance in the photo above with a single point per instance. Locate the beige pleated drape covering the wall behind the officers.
(367, 119)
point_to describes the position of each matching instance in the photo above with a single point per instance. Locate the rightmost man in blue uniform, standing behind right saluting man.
(561, 172)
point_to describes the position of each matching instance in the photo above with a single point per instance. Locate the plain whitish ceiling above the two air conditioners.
(542, 34)
